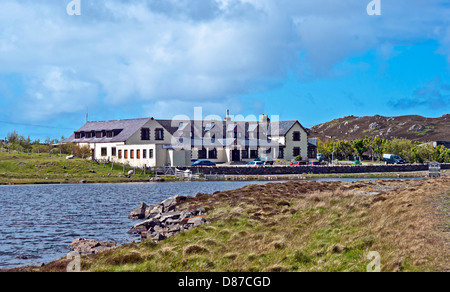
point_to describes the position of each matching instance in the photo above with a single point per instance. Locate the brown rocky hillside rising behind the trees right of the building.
(415, 128)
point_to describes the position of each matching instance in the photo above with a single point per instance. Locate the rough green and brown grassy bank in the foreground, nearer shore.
(301, 226)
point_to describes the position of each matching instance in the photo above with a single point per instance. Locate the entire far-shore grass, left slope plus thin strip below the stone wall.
(23, 168)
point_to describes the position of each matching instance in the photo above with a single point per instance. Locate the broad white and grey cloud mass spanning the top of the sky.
(192, 51)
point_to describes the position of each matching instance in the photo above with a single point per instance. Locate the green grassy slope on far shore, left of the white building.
(23, 168)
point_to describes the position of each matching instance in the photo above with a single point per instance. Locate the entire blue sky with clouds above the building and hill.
(306, 60)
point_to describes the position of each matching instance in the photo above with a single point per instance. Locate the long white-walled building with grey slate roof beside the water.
(155, 143)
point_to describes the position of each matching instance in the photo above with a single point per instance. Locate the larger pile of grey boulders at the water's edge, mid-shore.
(163, 220)
